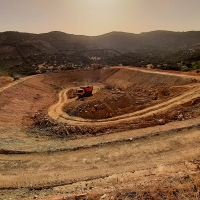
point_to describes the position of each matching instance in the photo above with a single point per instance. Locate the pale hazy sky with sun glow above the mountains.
(96, 17)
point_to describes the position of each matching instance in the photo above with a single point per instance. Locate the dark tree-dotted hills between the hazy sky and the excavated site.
(22, 53)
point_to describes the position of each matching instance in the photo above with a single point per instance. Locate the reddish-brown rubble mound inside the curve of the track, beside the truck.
(111, 101)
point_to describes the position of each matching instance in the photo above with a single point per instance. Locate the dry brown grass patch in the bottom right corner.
(187, 188)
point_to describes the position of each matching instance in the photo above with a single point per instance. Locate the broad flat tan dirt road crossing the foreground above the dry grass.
(47, 170)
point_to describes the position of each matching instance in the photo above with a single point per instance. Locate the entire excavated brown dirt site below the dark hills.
(135, 136)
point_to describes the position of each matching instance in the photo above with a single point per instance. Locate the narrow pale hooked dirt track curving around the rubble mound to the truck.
(57, 113)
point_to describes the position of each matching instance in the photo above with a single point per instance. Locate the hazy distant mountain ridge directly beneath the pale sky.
(119, 41)
